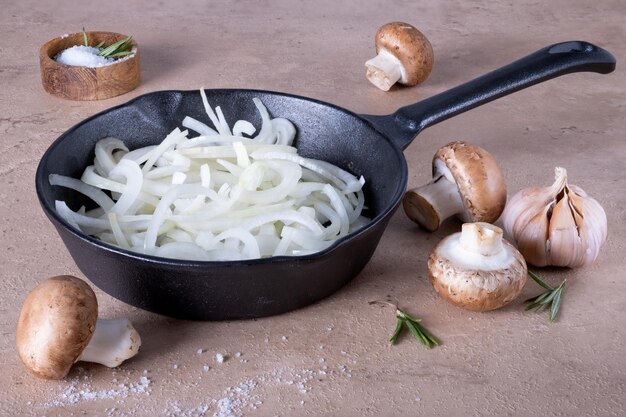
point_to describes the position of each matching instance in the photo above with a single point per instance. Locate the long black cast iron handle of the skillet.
(550, 62)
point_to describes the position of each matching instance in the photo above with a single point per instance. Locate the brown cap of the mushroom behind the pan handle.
(410, 46)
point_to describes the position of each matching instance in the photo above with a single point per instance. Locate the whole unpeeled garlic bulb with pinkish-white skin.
(558, 225)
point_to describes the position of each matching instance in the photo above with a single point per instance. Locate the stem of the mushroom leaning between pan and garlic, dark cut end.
(432, 203)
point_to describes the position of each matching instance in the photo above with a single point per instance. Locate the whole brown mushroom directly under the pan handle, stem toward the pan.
(467, 182)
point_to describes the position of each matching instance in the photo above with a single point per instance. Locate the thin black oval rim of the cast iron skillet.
(172, 262)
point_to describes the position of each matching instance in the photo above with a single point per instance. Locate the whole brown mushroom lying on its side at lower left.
(59, 325)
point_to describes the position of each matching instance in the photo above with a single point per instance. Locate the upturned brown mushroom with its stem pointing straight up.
(476, 269)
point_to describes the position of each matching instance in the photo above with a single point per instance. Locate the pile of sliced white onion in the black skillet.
(223, 195)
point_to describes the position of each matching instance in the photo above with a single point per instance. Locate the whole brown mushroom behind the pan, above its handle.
(404, 55)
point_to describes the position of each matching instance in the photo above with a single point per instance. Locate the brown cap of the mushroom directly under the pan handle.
(479, 179)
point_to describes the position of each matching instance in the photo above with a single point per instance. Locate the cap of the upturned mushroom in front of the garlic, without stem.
(473, 287)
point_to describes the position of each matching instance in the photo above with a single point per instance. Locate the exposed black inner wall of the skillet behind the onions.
(324, 132)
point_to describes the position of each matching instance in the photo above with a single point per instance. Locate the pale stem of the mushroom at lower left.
(113, 341)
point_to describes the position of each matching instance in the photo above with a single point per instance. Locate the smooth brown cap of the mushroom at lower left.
(57, 321)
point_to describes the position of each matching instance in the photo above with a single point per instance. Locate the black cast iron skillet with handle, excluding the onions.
(365, 145)
